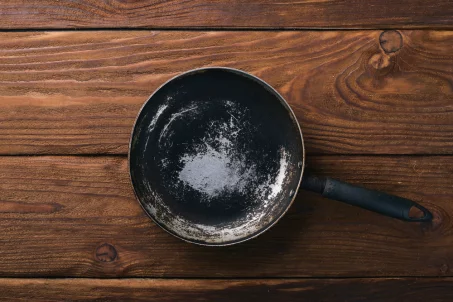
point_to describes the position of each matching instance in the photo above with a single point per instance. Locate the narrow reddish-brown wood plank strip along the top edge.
(19, 14)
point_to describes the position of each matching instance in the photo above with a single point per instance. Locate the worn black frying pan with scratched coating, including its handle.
(217, 156)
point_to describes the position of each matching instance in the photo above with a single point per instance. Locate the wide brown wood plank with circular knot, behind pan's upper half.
(353, 91)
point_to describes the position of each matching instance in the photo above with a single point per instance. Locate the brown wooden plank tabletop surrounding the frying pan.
(371, 83)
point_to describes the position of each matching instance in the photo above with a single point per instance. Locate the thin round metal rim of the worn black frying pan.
(292, 116)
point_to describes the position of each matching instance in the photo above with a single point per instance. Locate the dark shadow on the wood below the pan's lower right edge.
(252, 257)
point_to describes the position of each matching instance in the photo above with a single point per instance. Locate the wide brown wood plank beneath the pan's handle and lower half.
(77, 216)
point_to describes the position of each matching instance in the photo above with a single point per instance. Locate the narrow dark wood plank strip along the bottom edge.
(385, 289)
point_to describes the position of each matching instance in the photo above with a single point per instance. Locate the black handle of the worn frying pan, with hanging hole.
(386, 204)
